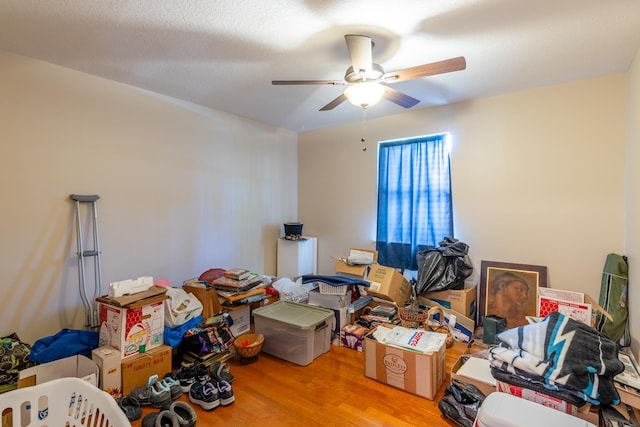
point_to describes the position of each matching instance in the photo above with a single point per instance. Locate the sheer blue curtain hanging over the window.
(414, 199)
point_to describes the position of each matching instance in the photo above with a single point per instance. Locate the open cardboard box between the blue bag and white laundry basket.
(74, 366)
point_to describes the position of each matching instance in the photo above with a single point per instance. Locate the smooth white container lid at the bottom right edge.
(505, 410)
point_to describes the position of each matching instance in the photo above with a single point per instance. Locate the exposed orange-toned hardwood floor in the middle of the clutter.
(331, 391)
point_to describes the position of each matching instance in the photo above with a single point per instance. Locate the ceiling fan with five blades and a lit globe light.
(367, 82)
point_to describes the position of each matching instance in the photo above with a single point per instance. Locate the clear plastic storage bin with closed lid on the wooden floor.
(295, 332)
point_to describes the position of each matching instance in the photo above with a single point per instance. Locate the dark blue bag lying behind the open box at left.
(67, 342)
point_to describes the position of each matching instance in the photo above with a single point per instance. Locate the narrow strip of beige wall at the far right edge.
(632, 224)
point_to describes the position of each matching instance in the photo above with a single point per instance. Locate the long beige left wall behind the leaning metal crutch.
(182, 189)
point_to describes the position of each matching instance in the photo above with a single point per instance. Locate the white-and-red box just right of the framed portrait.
(569, 303)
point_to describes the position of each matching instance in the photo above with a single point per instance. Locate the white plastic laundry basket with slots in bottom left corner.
(69, 402)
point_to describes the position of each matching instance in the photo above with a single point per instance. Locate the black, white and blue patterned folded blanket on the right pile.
(563, 354)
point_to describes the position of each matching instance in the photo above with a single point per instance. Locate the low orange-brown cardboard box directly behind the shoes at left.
(137, 369)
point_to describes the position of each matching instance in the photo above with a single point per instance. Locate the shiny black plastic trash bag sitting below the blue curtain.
(444, 267)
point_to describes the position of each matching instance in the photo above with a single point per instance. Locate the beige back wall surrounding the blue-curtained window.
(538, 178)
